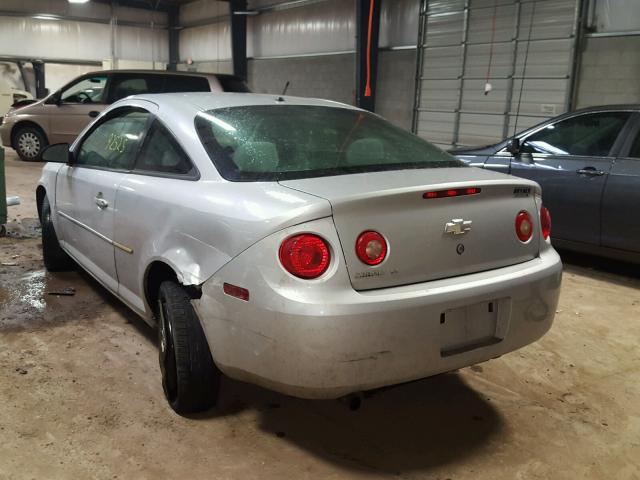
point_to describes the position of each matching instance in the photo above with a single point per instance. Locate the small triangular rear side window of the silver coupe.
(162, 154)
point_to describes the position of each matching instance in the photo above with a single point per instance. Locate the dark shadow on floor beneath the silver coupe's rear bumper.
(406, 428)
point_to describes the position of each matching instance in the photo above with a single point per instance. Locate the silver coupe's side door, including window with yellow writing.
(86, 199)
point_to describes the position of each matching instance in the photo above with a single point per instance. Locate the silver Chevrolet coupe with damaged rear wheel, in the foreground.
(303, 245)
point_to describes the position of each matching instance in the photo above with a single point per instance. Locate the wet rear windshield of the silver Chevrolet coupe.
(282, 142)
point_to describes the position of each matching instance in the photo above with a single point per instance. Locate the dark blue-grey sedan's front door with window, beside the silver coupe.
(571, 160)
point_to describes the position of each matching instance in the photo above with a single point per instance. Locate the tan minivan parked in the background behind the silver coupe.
(61, 116)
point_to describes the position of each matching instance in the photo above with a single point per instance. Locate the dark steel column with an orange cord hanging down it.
(368, 27)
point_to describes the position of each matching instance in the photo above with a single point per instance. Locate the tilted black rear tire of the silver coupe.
(190, 379)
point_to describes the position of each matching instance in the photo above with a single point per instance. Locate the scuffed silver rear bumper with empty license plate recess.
(354, 341)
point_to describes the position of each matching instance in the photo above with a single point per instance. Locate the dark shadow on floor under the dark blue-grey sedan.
(619, 272)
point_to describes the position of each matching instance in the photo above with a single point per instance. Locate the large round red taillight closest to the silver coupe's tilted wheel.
(305, 256)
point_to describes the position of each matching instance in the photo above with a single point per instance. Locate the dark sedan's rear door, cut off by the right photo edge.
(621, 199)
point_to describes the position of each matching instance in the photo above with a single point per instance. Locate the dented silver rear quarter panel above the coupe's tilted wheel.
(196, 227)
